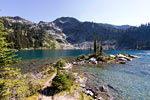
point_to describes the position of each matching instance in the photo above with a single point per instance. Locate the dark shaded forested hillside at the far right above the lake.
(136, 38)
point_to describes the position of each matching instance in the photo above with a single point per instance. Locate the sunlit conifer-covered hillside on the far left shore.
(26, 35)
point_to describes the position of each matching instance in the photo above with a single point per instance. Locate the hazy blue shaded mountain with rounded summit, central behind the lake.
(81, 34)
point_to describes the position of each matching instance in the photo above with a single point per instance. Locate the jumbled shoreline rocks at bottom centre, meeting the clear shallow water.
(101, 92)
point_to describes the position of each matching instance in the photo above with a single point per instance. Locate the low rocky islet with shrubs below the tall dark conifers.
(104, 59)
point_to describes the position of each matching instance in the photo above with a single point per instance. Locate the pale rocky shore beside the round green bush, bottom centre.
(101, 93)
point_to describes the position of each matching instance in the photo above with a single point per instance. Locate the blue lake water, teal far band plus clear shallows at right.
(132, 80)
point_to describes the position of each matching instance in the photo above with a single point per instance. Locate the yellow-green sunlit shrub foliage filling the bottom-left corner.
(12, 84)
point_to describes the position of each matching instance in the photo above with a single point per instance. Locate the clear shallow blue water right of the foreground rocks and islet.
(131, 80)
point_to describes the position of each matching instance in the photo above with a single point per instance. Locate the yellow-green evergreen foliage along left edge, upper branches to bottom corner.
(12, 82)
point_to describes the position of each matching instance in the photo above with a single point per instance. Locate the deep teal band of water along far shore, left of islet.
(49, 54)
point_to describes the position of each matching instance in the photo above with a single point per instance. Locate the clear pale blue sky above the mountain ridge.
(118, 12)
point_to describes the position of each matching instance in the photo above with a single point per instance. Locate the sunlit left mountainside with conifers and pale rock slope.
(26, 34)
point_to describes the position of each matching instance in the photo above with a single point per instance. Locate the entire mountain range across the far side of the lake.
(70, 33)
